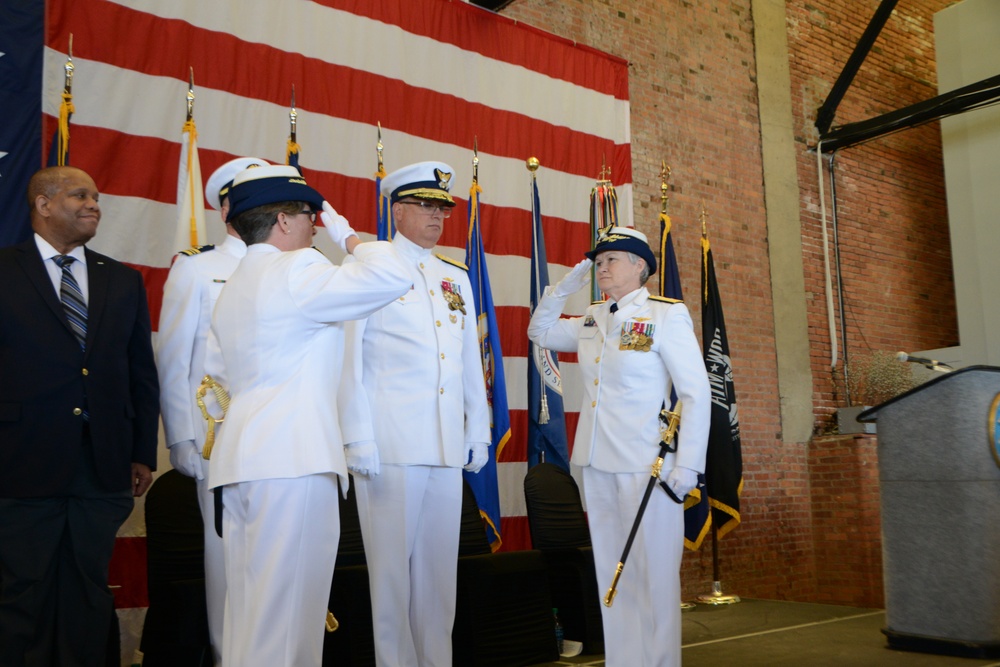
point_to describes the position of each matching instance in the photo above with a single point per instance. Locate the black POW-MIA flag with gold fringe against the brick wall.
(724, 461)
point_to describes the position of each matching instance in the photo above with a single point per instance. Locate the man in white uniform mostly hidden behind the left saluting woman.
(193, 285)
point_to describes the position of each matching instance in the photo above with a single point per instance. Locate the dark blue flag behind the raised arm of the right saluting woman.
(546, 418)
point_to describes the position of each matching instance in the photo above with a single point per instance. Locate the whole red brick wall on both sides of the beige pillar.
(693, 100)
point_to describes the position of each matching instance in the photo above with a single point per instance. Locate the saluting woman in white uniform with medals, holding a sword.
(631, 349)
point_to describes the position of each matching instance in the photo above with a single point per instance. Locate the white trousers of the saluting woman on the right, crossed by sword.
(643, 626)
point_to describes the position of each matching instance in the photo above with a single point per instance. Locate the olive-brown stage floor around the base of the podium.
(767, 633)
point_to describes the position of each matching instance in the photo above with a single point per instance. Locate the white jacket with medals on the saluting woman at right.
(624, 389)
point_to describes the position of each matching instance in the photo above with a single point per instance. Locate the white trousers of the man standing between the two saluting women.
(410, 521)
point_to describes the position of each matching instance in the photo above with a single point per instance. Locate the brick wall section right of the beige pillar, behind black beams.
(898, 287)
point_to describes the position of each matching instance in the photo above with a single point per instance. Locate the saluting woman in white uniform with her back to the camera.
(279, 326)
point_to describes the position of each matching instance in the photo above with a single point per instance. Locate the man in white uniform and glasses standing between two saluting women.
(414, 413)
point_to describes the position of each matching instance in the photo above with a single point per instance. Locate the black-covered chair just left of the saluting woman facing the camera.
(558, 527)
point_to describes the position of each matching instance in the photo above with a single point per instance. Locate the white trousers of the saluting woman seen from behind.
(280, 539)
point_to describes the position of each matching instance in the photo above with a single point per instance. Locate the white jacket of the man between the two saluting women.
(420, 367)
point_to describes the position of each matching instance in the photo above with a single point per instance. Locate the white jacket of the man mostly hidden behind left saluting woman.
(189, 296)
